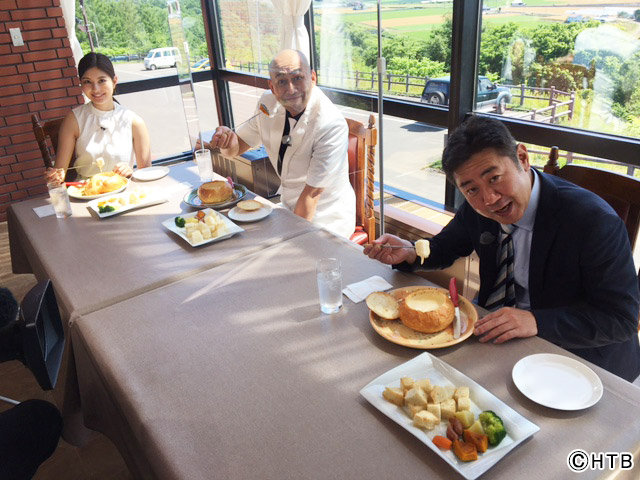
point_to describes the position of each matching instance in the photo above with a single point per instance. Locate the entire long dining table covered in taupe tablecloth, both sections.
(217, 362)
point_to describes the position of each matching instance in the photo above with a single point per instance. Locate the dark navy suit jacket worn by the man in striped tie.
(583, 285)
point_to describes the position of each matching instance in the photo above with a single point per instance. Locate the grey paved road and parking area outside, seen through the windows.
(408, 146)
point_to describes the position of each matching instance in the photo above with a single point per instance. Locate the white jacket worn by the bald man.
(317, 156)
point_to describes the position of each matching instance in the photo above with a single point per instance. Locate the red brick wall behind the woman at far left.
(39, 77)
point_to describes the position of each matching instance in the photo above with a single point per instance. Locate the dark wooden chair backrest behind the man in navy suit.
(620, 191)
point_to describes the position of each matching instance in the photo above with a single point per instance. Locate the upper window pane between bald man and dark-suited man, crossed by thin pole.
(416, 44)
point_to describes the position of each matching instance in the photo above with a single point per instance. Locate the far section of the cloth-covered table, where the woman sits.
(94, 262)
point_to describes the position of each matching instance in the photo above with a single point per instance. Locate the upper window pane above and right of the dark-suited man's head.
(577, 67)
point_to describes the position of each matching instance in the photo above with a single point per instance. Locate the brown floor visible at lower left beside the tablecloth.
(99, 459)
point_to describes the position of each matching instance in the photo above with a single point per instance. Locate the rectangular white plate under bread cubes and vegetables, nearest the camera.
(440, 373)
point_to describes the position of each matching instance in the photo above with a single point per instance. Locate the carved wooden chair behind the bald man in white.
(362, 148)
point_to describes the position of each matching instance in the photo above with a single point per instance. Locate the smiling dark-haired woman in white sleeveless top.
(100, 129)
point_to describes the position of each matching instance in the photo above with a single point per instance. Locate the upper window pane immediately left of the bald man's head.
(250, 34)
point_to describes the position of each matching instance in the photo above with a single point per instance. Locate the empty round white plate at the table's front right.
(557, 382)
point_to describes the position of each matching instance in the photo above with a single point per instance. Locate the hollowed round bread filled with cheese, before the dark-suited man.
(426, 310)
